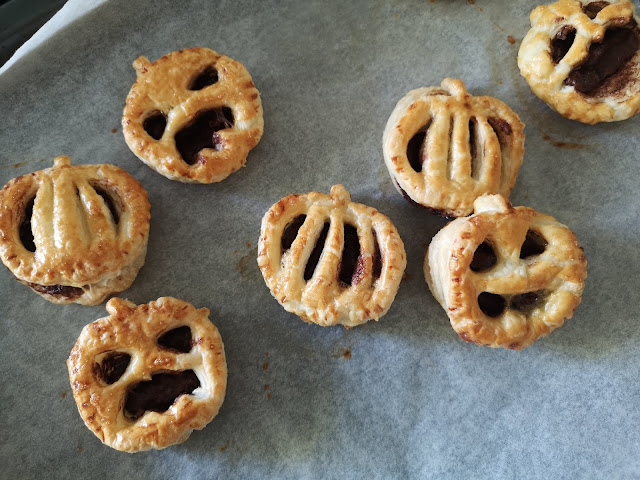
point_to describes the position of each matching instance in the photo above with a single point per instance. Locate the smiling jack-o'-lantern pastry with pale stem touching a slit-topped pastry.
(505, 276)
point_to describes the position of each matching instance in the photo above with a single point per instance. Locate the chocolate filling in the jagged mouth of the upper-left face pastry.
(201, 133)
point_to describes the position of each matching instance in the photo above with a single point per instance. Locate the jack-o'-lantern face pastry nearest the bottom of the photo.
(146, 376)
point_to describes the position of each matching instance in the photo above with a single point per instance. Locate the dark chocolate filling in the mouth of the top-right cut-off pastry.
(605, 58)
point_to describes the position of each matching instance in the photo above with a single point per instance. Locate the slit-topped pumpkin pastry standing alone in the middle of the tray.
(330, 261)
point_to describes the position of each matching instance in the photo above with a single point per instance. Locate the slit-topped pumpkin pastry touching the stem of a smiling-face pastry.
(444, 148)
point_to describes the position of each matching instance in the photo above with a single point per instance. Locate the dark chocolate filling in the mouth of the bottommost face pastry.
(159, 393)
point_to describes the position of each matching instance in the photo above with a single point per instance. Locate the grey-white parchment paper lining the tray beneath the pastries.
(401, 398)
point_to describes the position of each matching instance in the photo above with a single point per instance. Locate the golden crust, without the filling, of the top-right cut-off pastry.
(615, 99)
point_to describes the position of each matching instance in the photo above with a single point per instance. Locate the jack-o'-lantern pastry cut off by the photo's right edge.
(583, 59)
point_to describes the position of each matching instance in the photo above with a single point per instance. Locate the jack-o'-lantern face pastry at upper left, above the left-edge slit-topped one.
(192, 115)
